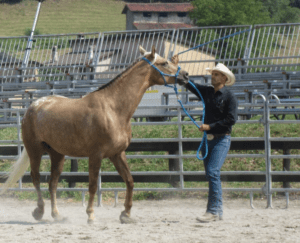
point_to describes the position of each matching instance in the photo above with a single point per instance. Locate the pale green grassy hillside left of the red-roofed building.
(62, 16)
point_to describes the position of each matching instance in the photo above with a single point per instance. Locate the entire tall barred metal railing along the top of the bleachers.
(261, 48)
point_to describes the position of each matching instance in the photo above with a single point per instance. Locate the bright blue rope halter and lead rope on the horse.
(204, 139)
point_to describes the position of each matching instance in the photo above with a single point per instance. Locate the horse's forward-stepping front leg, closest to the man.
(122, 167)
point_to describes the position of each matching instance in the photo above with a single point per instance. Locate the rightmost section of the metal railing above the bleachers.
(274, 48)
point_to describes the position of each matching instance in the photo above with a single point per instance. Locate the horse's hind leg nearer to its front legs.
(57, 163)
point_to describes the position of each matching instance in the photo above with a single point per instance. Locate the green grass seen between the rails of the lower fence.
(231, 164)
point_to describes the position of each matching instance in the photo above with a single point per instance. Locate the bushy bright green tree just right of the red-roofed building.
(233, 12)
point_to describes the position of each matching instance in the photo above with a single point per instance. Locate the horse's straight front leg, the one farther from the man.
(94, 167)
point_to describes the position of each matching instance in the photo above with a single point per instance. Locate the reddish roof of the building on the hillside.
(157, 7)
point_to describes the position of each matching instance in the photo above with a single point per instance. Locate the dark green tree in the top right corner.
(281, 11)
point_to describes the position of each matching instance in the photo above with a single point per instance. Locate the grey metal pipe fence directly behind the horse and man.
(180, 174)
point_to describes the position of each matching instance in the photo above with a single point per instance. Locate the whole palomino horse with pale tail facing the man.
(96, 126)
